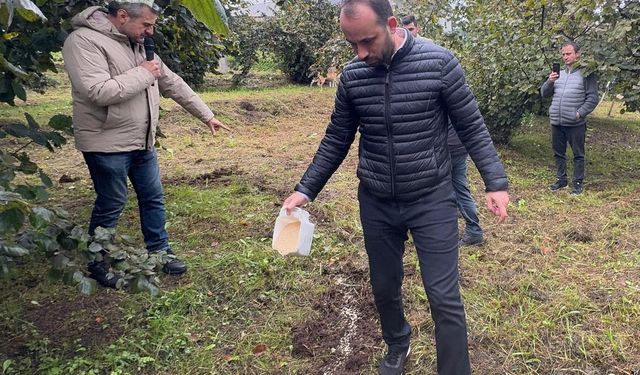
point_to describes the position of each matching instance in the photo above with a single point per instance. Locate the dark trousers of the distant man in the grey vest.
(575, 136)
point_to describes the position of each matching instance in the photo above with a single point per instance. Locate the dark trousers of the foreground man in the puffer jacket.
(433, 224)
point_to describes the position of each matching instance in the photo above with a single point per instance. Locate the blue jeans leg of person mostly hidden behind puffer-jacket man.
(466, 204)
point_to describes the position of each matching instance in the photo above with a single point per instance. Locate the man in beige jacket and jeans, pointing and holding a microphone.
(116, 96)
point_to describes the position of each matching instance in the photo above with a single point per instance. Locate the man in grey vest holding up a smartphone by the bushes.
(574, 97)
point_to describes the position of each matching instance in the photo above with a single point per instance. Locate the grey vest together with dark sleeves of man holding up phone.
(571, 93)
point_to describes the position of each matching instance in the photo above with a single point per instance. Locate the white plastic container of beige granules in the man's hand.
(292, 234)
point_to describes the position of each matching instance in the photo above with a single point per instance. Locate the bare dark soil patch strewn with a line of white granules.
(344, 336)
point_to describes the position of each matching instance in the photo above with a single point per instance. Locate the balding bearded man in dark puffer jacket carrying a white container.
(399, 93)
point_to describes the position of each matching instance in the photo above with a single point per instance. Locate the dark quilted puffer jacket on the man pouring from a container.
(401, 112)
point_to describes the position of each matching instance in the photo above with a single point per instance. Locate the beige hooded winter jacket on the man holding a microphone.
(113, 96)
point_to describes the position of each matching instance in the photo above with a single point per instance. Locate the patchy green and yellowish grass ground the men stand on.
(556, 289)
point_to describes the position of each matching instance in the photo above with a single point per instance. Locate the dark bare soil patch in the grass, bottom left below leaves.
(66, 322)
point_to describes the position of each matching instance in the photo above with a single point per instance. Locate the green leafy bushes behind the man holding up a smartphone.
(507, 48)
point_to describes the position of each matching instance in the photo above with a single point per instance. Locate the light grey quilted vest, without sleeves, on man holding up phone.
(569, 94)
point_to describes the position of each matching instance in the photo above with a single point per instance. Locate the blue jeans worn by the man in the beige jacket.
(109, 172)
